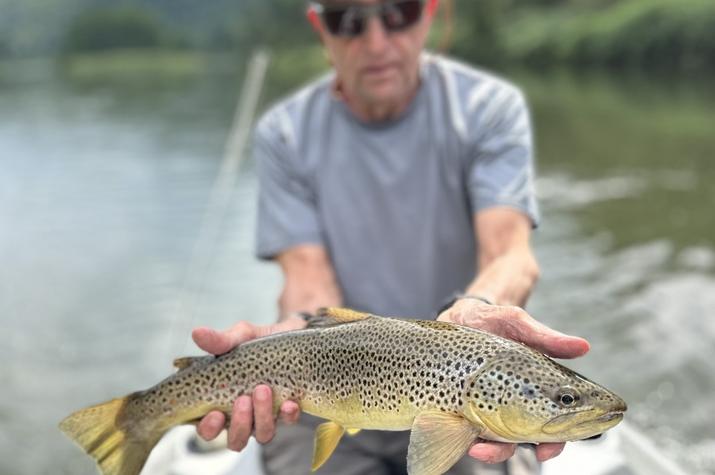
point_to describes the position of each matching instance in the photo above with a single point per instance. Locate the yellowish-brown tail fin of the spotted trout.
(117, 449)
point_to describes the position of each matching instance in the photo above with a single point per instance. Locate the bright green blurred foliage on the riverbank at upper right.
(629, 34)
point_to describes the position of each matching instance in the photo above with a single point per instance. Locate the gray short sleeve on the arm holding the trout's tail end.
(287, 214)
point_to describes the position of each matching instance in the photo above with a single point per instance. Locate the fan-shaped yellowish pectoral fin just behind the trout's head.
(438, 440)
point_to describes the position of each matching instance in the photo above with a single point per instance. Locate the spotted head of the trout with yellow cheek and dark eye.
(527, 397)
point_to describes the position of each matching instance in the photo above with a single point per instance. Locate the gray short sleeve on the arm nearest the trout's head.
(502, 170)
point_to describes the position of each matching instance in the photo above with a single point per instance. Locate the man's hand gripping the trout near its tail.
(254, 413)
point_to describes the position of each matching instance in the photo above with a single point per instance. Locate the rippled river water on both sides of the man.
(103, 186)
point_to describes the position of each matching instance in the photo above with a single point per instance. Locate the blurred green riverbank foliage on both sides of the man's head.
(625, 34)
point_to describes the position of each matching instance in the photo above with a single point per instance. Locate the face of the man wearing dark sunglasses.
(377, 67)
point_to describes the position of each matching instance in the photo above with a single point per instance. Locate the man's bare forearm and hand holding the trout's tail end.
(309, 283)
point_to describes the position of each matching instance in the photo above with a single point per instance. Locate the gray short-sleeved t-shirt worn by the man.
(393, 202)
